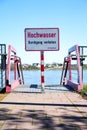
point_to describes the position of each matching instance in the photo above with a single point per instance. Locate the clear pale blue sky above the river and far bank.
(70, 16)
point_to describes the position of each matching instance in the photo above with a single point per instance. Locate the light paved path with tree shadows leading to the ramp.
(57, 110)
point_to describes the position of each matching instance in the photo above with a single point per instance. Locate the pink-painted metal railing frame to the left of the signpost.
(18, 76)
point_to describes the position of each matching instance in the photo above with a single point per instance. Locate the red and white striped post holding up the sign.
(42, 70)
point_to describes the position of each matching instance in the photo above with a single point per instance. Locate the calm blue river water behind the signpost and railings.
(52, 77)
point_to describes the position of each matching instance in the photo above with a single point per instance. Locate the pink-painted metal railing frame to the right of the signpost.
(68, 68)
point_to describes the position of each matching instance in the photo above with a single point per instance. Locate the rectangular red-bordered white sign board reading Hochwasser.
(41, 39)
